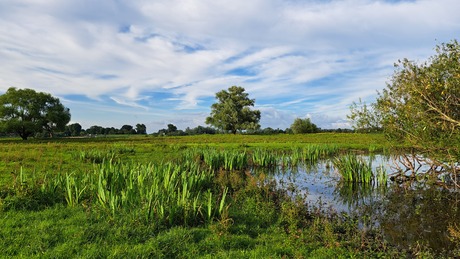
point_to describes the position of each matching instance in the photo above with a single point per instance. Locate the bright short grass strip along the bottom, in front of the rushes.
(62, 232)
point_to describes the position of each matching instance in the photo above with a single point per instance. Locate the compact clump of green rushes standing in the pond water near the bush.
(354, 169)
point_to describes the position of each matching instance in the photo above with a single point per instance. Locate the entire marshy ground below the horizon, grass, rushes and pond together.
(225, 196)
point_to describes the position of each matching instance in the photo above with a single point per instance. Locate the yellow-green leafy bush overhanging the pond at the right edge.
(421, 105)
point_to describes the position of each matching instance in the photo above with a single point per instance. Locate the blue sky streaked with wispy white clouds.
(117, 62)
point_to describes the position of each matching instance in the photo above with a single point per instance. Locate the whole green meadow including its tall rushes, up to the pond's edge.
(179, 197)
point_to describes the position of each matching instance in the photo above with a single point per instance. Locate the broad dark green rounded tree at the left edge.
(26, 112)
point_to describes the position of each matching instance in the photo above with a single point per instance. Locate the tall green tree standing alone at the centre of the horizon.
(232, 112)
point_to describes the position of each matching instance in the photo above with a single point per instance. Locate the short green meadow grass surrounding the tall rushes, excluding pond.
(259, 220)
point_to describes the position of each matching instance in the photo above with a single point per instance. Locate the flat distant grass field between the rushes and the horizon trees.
(60, 154)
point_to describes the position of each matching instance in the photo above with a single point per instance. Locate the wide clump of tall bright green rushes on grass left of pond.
(167, 194)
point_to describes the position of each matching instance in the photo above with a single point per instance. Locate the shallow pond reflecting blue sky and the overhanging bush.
(408, 214)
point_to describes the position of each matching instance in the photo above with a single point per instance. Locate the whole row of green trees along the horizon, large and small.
(27, 113)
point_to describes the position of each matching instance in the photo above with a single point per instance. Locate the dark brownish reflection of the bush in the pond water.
(420, 216)
